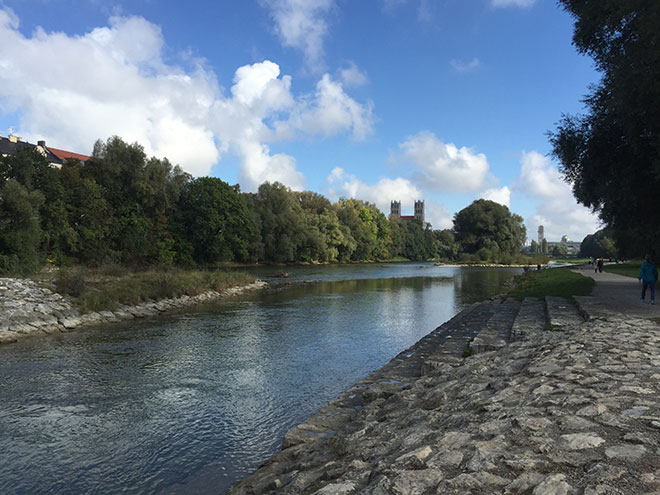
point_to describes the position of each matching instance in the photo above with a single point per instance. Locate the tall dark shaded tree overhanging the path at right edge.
(611, 154)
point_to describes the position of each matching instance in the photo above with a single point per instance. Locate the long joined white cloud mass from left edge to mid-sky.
(72, 90)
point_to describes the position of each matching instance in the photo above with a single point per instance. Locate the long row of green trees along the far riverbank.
(124, 207)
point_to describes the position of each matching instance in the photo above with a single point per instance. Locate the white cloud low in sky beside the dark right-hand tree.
(557, 209)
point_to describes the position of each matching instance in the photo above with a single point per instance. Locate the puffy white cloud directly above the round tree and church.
(443, 166)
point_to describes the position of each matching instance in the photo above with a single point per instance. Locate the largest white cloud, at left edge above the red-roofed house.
(73, 90)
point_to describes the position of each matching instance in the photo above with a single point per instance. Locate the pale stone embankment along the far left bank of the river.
(28, 309)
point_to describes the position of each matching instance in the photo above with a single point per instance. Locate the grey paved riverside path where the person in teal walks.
(615, 294)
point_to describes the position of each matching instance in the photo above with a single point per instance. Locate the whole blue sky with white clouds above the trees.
(446, 101)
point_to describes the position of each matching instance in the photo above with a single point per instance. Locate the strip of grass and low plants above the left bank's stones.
(104, 288)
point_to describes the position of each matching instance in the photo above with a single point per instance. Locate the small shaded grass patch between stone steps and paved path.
(561, 282)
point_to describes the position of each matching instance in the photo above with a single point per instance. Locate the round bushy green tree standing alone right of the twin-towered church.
(487, 225)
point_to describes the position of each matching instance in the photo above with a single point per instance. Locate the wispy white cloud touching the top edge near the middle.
(301, 24)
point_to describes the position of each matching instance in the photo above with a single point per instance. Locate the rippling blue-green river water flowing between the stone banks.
(191, 402)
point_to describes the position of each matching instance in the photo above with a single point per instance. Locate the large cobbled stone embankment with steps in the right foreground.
(554, 400)
